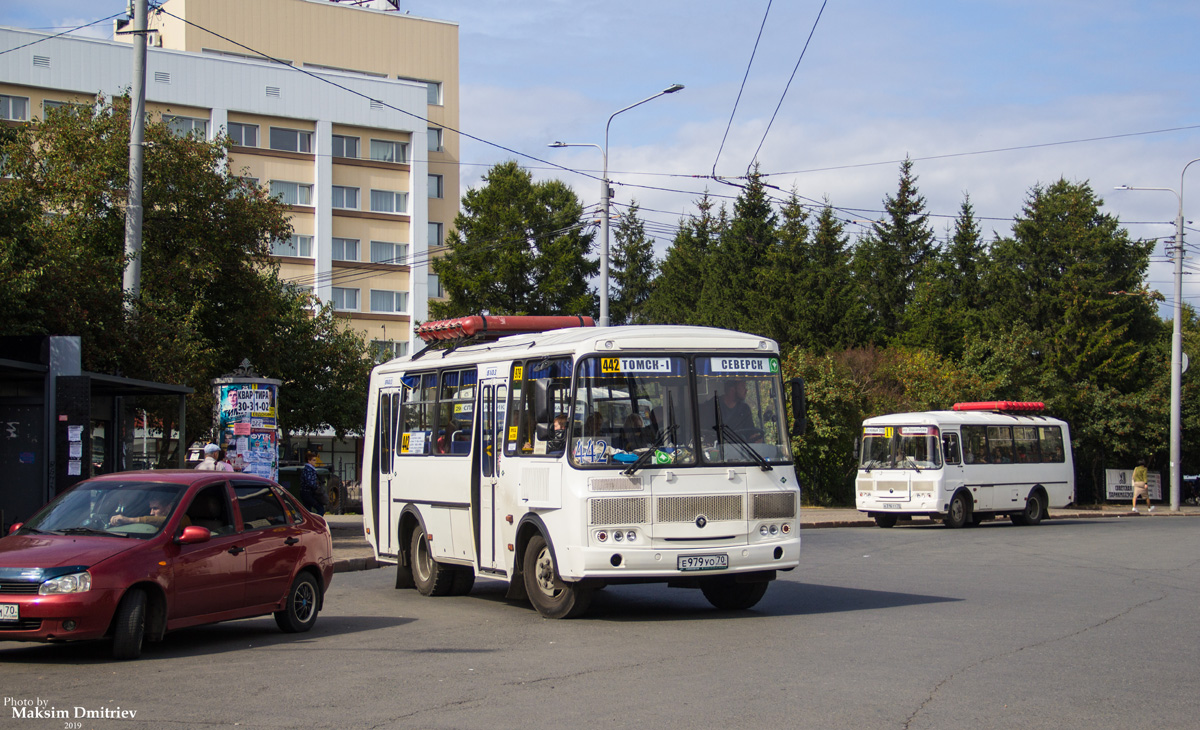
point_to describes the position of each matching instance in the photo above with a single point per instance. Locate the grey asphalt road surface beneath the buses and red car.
(1075, 624)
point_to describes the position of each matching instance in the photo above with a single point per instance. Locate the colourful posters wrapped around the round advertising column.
(249, 428)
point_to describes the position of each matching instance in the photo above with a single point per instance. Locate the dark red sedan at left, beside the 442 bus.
(135, 555)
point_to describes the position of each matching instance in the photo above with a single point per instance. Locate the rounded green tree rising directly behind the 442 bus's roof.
(519, 248)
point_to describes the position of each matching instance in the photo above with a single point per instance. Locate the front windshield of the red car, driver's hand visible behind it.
(119, 508)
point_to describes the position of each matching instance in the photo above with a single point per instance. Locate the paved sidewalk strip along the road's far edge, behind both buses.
(352, 552)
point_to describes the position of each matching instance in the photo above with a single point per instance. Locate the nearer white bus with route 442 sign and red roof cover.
(567, 460)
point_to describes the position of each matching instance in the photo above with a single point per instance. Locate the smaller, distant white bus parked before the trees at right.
(965, 466)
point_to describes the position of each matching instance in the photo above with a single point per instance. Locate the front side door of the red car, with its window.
(211, 577)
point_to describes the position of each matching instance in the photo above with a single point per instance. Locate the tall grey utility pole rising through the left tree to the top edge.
(133, 284)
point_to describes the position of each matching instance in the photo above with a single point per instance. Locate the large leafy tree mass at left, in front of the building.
(211, 296)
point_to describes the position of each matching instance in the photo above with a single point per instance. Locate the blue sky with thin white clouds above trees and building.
(880, 81)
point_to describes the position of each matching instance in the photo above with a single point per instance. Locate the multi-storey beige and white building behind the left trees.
(346, 111)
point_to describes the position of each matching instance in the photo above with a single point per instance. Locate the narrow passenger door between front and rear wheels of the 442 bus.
(491, 436)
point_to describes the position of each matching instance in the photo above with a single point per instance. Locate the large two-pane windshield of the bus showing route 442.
(627, 406)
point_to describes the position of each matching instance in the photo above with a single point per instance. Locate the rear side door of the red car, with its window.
(272, 540)
